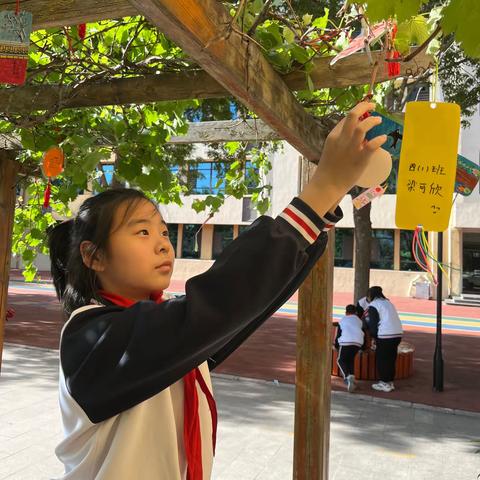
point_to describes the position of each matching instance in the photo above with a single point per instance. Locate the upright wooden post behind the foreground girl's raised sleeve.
(314, 347)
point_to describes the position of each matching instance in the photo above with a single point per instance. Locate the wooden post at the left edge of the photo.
(8, 174)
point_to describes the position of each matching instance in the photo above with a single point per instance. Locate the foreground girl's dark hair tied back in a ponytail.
(76, 284)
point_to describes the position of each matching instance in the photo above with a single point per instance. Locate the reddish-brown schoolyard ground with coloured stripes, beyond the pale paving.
(270, 353)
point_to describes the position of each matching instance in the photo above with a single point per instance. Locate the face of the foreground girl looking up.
(140, 256)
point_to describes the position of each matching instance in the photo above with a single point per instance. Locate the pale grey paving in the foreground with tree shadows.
(369, 439)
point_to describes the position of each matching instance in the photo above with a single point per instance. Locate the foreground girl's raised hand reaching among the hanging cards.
(347, 153)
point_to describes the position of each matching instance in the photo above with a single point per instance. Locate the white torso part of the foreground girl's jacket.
(115, 449)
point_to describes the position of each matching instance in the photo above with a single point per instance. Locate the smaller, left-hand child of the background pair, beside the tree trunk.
(349, 340)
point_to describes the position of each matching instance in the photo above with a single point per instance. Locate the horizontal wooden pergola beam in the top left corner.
(50, 14)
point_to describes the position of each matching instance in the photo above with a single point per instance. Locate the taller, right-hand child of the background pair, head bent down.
(385, 327)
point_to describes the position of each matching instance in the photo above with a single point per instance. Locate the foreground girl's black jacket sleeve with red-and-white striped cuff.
(114, 357)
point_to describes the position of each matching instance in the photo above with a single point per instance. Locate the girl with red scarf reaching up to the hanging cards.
(135, 391)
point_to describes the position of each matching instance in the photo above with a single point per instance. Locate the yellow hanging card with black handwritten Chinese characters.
(428, 162)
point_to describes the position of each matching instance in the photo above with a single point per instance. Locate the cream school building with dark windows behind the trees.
(392, 264)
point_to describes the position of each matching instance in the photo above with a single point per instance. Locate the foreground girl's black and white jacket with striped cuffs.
(121, 369)
